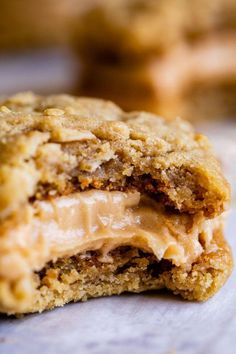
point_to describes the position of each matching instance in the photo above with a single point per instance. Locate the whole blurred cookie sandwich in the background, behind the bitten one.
(173, 57)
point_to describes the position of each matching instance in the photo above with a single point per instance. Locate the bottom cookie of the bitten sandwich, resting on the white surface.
(84, 276)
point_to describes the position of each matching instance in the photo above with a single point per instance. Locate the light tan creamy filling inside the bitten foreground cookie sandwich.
(101, 220)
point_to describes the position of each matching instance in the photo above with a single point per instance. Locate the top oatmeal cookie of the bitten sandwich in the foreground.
(59, 144)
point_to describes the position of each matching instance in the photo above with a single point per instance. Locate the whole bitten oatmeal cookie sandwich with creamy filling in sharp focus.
(60, 157)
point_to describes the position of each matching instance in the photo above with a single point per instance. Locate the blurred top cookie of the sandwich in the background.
(137, 29)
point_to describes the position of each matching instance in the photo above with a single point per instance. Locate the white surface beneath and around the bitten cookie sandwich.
(135, 324)
